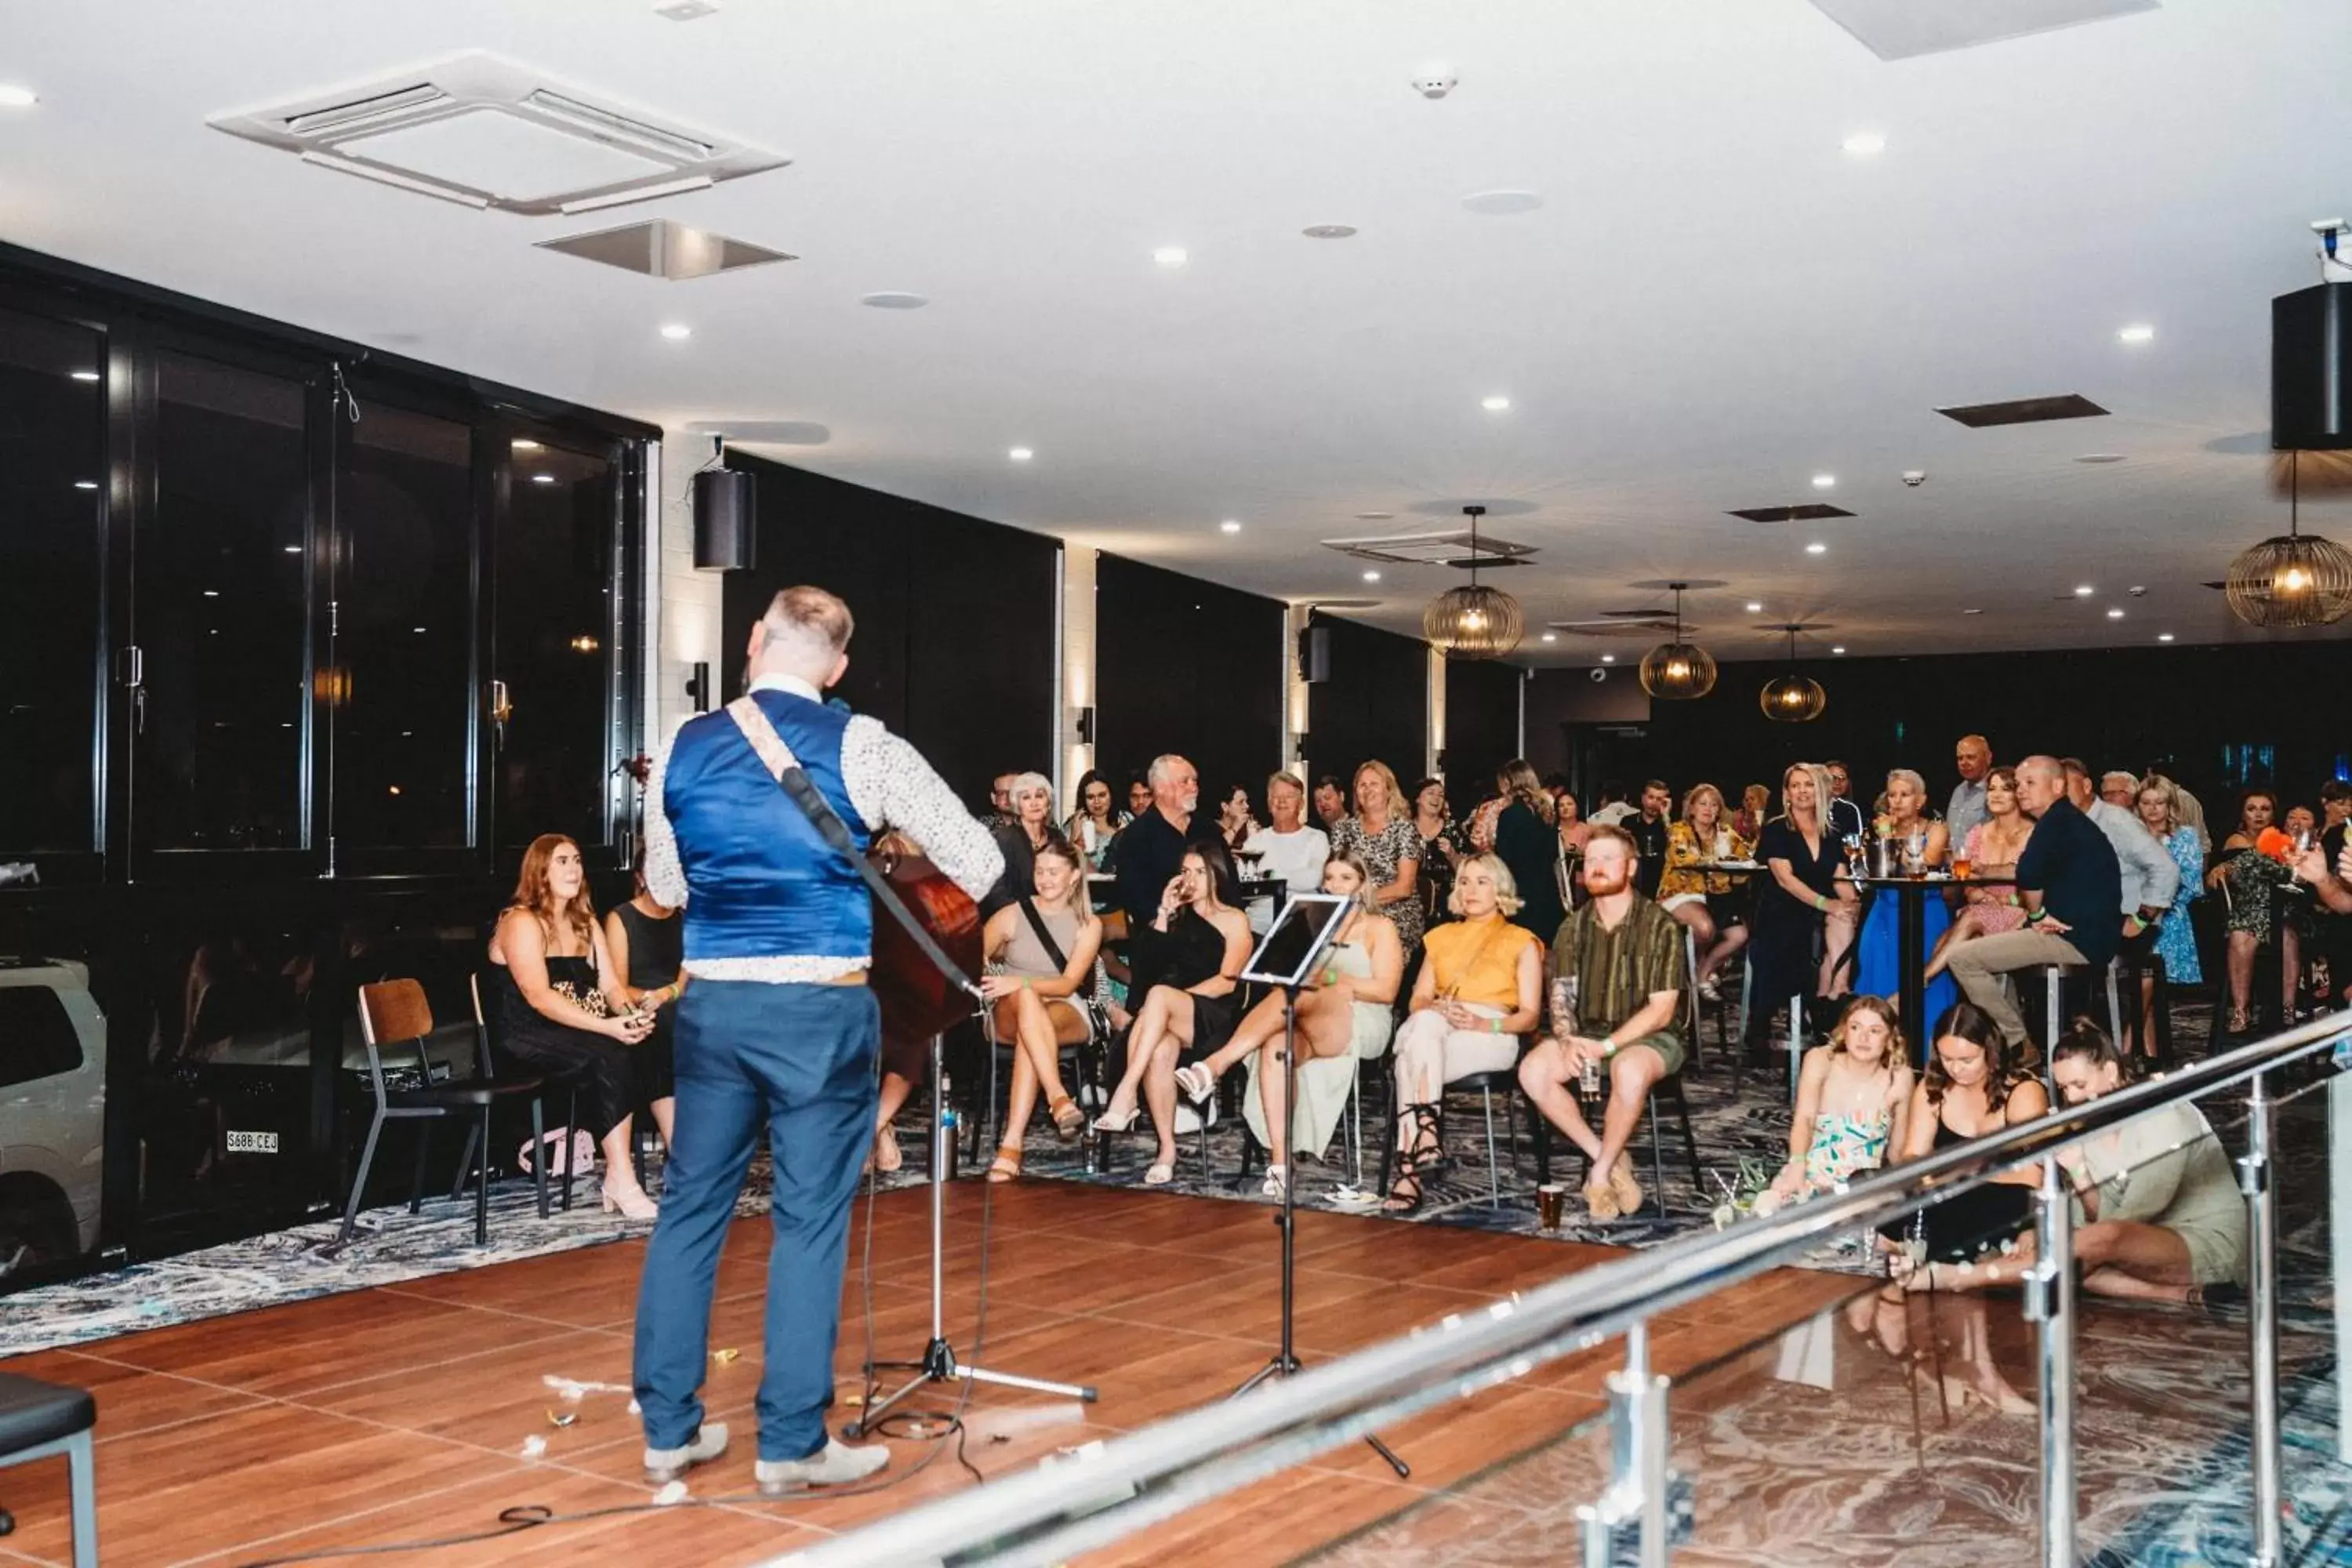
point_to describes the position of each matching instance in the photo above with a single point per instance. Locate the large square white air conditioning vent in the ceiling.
(493, 135)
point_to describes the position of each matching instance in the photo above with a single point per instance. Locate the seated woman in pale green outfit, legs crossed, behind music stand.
(1349, 1012)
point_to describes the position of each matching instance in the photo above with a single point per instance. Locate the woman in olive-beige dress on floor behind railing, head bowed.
(2158, 1205)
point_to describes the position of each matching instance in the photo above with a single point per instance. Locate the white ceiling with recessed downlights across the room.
(1713, 304)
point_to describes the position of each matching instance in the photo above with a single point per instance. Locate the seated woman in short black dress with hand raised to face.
(1189, 1010)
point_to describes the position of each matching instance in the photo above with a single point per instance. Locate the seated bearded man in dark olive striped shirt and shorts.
(1624, 958)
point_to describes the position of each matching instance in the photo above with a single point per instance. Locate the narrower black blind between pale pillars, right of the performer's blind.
(1187, 666)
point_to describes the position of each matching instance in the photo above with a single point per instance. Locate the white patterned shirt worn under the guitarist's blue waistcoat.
(888, 784)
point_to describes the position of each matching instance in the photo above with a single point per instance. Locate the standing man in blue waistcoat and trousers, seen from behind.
(777, 1024)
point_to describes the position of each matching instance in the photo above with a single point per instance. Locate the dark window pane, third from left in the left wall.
(401, 685)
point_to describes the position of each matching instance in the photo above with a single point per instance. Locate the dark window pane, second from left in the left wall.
(222, 610)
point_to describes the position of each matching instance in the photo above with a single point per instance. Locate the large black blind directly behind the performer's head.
(956, 617)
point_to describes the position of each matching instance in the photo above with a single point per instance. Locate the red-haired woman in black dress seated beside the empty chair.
(563, 1012)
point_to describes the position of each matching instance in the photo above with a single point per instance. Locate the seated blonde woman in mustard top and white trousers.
(1478, 991)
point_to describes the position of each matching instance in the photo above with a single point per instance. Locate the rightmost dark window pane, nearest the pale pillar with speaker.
(554, 648)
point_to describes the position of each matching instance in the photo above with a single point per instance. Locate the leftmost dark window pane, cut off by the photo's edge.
(53, 471)
